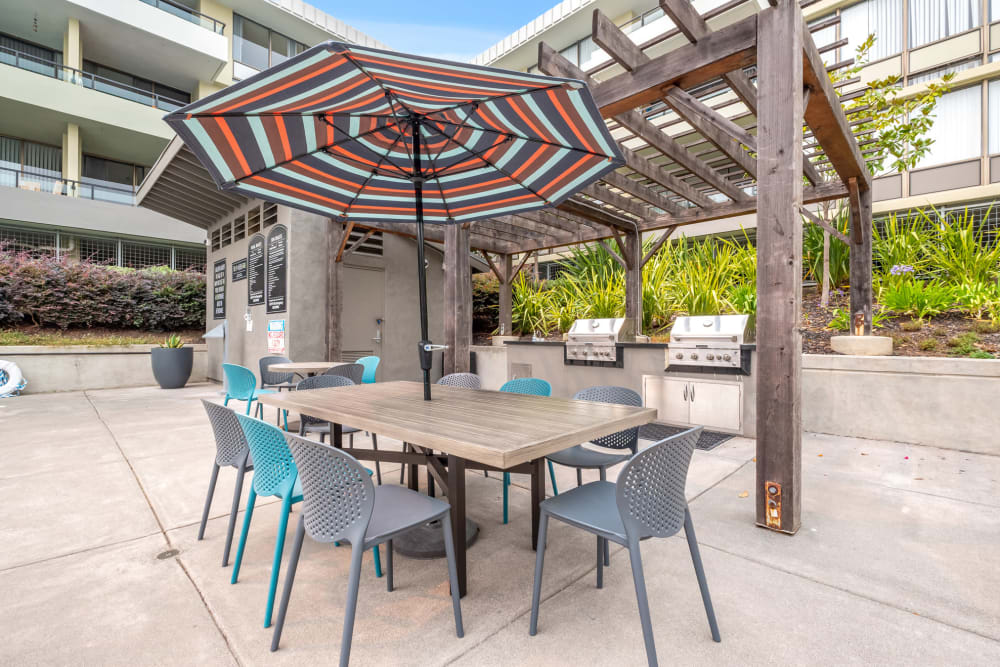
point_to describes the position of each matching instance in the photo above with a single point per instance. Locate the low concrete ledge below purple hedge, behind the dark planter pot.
(80, 367)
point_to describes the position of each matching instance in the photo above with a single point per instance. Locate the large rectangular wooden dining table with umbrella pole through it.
(463, 429)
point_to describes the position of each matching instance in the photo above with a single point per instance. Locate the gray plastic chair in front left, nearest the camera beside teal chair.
(340, 504)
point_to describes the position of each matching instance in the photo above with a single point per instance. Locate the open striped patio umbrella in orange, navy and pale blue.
(365, 135)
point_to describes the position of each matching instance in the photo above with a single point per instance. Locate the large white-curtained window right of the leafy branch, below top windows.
(957, 131)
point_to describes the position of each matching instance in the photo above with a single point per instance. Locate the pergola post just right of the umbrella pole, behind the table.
(457, 299)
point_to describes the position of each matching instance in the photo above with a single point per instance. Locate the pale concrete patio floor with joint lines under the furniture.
(897, 561)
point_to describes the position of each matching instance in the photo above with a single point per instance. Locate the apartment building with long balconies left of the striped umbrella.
(84, 85)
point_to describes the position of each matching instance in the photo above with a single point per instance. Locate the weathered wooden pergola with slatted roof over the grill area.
(793, 145)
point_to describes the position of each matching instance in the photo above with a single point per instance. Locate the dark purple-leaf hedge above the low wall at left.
(66, 293)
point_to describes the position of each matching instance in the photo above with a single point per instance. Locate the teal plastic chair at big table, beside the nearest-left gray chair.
(275, 474)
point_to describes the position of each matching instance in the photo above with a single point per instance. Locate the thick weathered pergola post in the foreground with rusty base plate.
(779, 271)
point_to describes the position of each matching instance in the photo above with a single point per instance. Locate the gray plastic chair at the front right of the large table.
(647, 501)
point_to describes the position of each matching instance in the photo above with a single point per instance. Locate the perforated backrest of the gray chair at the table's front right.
(650, 487)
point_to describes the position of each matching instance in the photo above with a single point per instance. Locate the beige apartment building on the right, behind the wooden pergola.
(919, 40)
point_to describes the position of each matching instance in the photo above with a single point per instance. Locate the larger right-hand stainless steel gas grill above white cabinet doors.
(710, 342)
